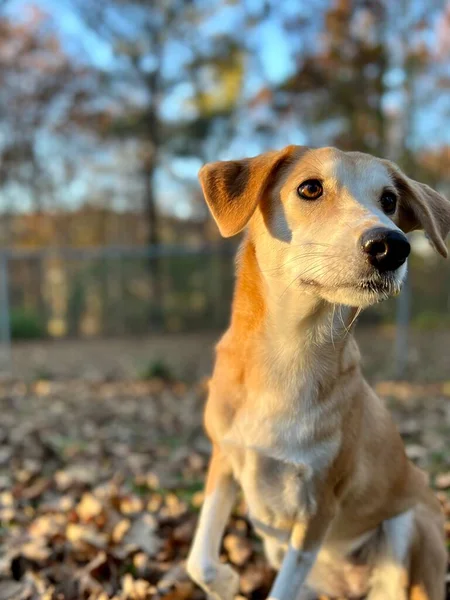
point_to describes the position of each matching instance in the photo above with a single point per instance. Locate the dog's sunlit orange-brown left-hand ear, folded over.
(233, 189)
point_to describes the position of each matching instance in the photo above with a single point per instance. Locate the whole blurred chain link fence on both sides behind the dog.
(123, 291)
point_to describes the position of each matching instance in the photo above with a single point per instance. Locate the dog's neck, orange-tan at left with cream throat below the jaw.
(294, 335)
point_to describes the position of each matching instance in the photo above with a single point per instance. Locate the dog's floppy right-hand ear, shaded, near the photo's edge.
(421, 207)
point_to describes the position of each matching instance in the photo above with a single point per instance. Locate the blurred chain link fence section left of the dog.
(115, 291)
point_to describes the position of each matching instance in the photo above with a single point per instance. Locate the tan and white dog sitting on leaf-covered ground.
(292, 421)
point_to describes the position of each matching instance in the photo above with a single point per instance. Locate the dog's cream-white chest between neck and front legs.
(276, 458)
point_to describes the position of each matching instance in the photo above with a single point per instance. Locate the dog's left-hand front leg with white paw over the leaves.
(219, 581)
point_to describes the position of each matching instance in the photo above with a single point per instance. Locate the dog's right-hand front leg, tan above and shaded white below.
(304, 545)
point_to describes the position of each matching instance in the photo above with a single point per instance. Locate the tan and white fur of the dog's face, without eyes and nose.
(313, 246)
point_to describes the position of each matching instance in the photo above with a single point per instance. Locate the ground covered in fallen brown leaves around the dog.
(100, 486)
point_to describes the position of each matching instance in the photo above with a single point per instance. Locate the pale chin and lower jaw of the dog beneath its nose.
(363, 292)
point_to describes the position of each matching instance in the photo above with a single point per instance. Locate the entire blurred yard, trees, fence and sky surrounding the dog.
(115, 284)
